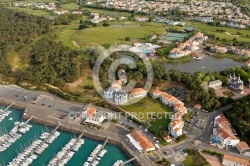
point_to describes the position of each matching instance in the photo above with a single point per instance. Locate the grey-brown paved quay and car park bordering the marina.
(37, 105)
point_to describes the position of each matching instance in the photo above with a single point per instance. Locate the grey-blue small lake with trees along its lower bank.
(209, 62)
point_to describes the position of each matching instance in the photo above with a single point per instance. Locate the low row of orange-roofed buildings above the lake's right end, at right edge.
(232, 49)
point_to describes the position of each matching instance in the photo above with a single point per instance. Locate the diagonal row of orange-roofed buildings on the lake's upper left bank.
(186, 48)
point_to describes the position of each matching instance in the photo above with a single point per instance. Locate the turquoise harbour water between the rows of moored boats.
(113, 154)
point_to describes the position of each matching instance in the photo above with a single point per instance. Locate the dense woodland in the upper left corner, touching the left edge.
(17, 28)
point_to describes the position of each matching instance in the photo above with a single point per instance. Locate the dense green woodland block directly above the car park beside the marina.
(51, 62)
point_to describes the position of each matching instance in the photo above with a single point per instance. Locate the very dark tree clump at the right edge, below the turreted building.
(239, 116)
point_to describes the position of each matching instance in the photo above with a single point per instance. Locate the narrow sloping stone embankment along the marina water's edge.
(63, 127)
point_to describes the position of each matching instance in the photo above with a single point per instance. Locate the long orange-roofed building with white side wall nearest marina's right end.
(140, 141)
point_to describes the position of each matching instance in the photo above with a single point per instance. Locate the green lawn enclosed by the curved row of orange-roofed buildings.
(147, 106)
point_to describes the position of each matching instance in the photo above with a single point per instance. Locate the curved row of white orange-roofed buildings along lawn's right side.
(176, 125)
